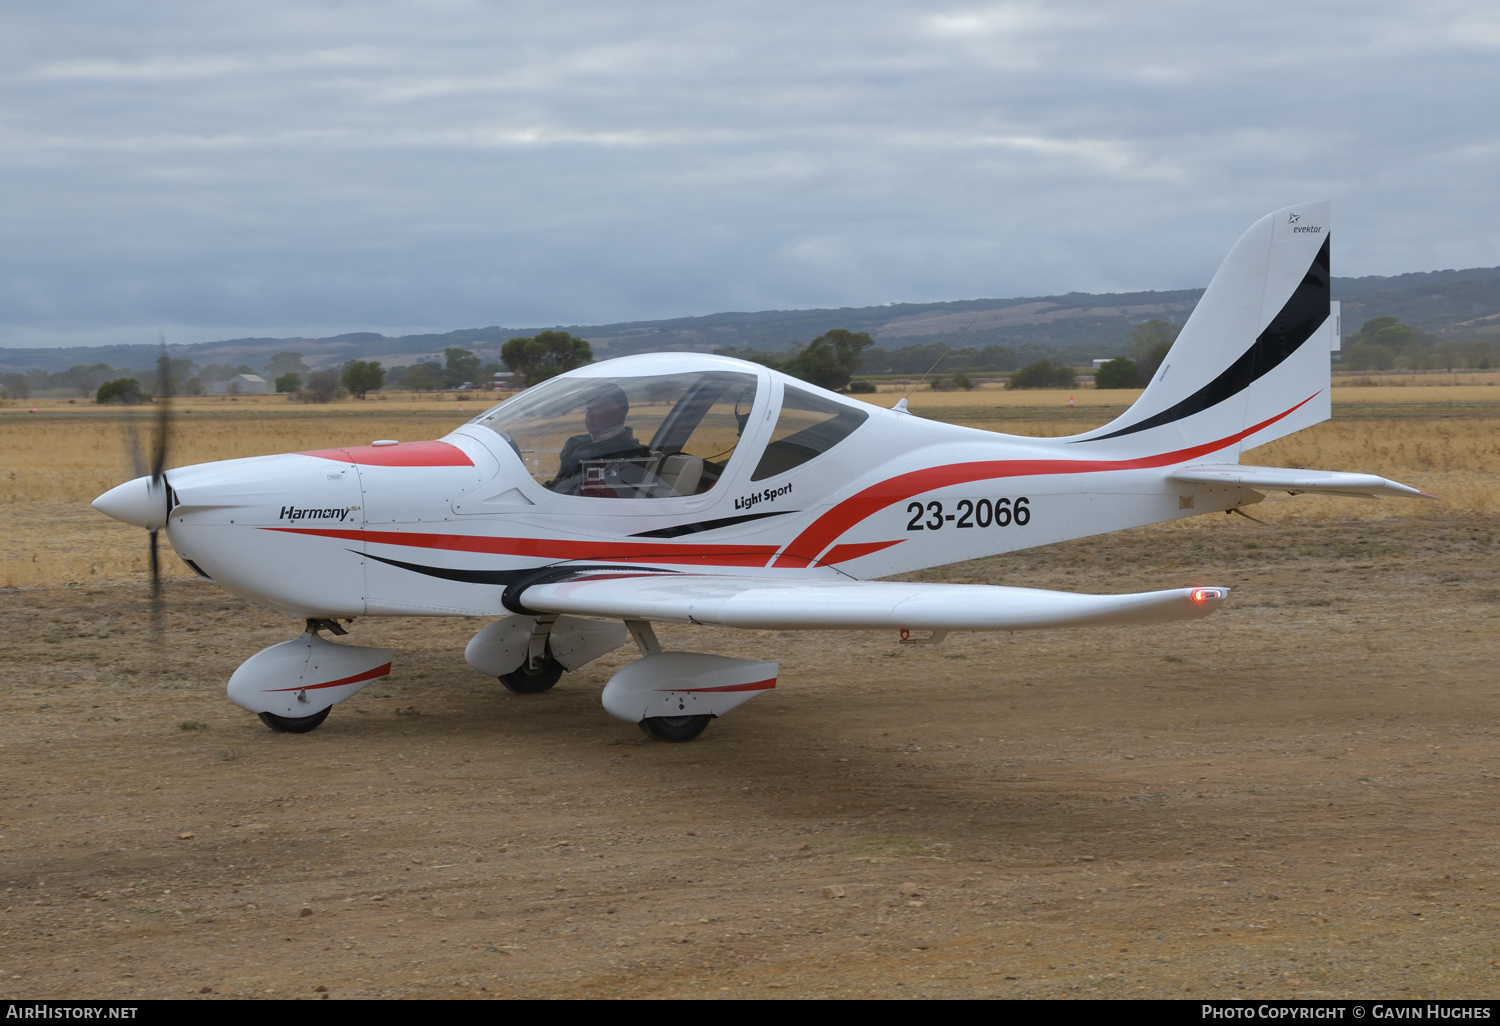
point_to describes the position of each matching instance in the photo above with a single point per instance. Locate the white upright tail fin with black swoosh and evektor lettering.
(1253, 361)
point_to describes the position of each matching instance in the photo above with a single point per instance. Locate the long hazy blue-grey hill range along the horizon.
(1459, 304)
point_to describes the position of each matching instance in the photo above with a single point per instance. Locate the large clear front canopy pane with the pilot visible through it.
(646, 437)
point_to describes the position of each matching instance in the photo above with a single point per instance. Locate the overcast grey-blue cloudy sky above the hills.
(308, 169)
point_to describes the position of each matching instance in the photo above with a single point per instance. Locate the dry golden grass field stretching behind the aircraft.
(59, 460)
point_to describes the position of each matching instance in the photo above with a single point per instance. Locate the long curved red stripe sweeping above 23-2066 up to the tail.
(827, 529)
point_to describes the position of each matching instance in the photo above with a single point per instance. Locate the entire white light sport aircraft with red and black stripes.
(697, 490)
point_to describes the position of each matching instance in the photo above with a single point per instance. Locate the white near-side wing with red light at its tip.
(782, 604)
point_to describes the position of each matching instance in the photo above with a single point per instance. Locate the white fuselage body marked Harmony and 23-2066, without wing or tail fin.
(445, 527)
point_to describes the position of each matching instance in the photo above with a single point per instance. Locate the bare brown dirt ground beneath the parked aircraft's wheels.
(1295, 797)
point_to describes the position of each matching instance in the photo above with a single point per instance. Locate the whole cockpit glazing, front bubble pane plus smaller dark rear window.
(659, 436)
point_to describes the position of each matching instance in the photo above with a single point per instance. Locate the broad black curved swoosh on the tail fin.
(1289, 329)
